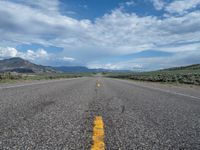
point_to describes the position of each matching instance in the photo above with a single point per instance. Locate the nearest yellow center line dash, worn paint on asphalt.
(98, 134)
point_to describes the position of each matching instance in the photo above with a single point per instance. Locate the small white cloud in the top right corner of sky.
(182, 6)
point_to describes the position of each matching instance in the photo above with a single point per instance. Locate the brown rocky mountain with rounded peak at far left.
(22, 66)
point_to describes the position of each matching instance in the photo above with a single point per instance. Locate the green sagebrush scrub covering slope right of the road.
(185, 75)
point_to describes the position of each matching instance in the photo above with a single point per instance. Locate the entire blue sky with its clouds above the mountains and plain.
(111, 34)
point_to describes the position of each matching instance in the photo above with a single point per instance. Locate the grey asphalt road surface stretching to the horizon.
(56, 115)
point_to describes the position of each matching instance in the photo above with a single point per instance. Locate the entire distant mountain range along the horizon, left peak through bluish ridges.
(20, 65)
